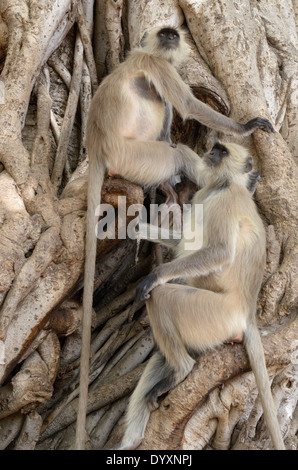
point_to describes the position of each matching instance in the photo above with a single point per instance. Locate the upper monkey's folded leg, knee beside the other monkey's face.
(151, 163)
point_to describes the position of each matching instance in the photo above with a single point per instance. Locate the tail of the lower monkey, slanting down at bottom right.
(256, 356)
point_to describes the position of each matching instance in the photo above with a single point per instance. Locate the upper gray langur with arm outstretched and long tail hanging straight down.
(128, 133)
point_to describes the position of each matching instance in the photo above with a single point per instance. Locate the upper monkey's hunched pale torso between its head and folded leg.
(126, 104)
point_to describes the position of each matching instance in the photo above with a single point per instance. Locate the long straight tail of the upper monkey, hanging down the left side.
(95, 182)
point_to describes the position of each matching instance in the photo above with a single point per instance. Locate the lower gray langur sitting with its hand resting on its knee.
(224, 277)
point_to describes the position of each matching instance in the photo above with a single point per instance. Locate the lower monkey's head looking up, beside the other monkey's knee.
(226, 163)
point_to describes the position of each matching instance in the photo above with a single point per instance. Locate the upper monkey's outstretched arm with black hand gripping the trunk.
(170, 85)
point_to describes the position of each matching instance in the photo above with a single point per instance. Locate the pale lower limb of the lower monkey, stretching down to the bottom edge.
(138, 411)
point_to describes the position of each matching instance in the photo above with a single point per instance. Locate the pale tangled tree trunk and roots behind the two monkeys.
(243, 62)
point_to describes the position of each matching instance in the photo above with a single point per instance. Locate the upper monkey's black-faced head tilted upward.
(168, 43)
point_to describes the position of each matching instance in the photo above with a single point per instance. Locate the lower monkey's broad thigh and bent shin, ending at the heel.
(184, 317)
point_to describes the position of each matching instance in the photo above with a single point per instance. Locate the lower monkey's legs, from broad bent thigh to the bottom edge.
(179, 316)
